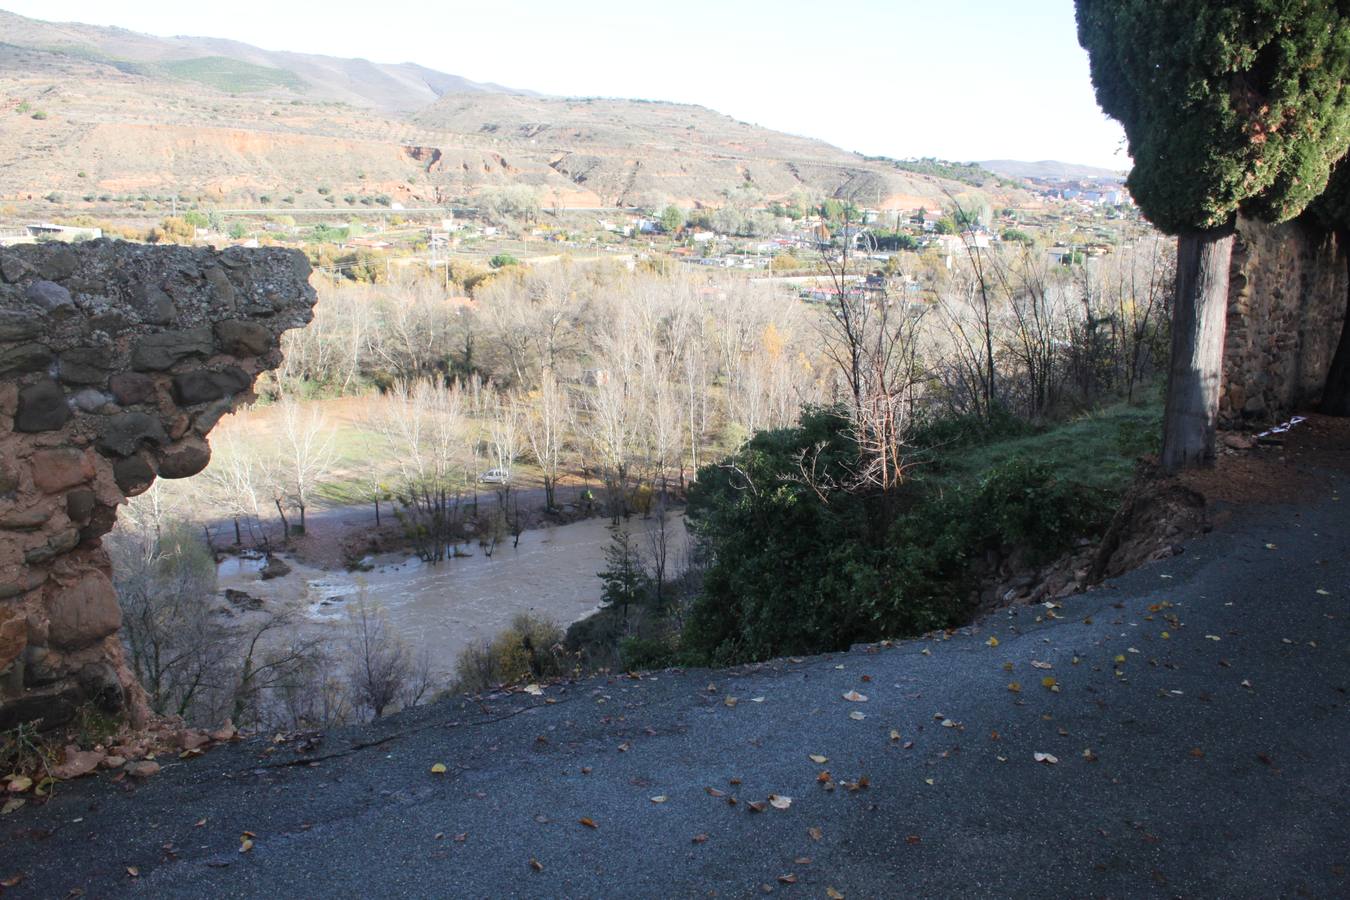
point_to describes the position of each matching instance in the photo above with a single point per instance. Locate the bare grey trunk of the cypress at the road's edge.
(1199, 319)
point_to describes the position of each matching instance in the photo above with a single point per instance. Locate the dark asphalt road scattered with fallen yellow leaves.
(1209, 763)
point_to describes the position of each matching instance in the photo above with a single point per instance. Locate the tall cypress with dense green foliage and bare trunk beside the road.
(1229, 107)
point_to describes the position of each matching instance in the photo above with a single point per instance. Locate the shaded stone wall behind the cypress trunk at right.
(1287, 303)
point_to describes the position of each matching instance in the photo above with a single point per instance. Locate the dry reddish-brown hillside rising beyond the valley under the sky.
(106, 118)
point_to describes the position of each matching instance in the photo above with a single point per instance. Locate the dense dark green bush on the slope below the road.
(804, 566)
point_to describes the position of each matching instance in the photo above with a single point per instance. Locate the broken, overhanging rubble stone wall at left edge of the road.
(115, 362)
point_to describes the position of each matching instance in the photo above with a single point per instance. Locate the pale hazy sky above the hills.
(954, 79)
